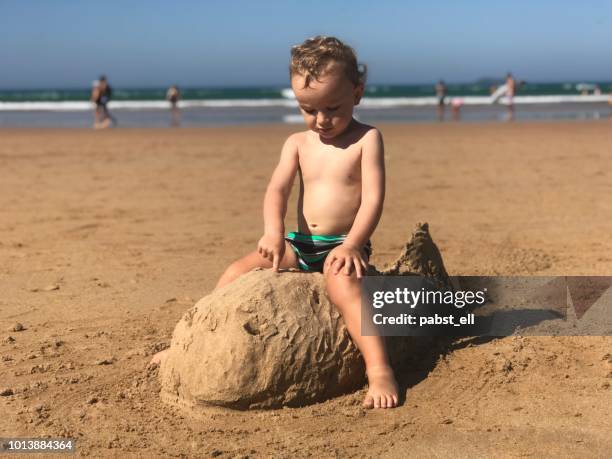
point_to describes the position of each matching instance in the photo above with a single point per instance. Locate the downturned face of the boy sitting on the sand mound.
(327, 104)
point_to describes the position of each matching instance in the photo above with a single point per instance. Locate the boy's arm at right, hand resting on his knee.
(348, 255)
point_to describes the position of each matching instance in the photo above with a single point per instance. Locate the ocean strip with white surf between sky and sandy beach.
(147, 107)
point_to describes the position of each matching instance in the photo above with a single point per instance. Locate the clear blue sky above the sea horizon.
(64, 43)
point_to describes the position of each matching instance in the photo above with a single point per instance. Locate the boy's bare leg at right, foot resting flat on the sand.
(344, 291)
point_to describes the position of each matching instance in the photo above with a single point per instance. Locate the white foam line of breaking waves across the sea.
(366, 103)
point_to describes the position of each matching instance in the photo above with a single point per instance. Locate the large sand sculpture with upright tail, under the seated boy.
(272, 339)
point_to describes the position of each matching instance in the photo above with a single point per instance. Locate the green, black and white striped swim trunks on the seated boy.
(312, 250)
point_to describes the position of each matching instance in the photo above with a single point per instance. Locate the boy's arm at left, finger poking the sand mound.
(272, 244)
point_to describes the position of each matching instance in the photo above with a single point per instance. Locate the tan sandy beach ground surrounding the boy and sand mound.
(106, 238)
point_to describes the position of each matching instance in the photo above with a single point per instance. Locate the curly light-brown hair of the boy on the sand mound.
(312, 58)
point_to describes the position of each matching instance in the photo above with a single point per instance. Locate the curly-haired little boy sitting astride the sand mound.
(340, 165)
